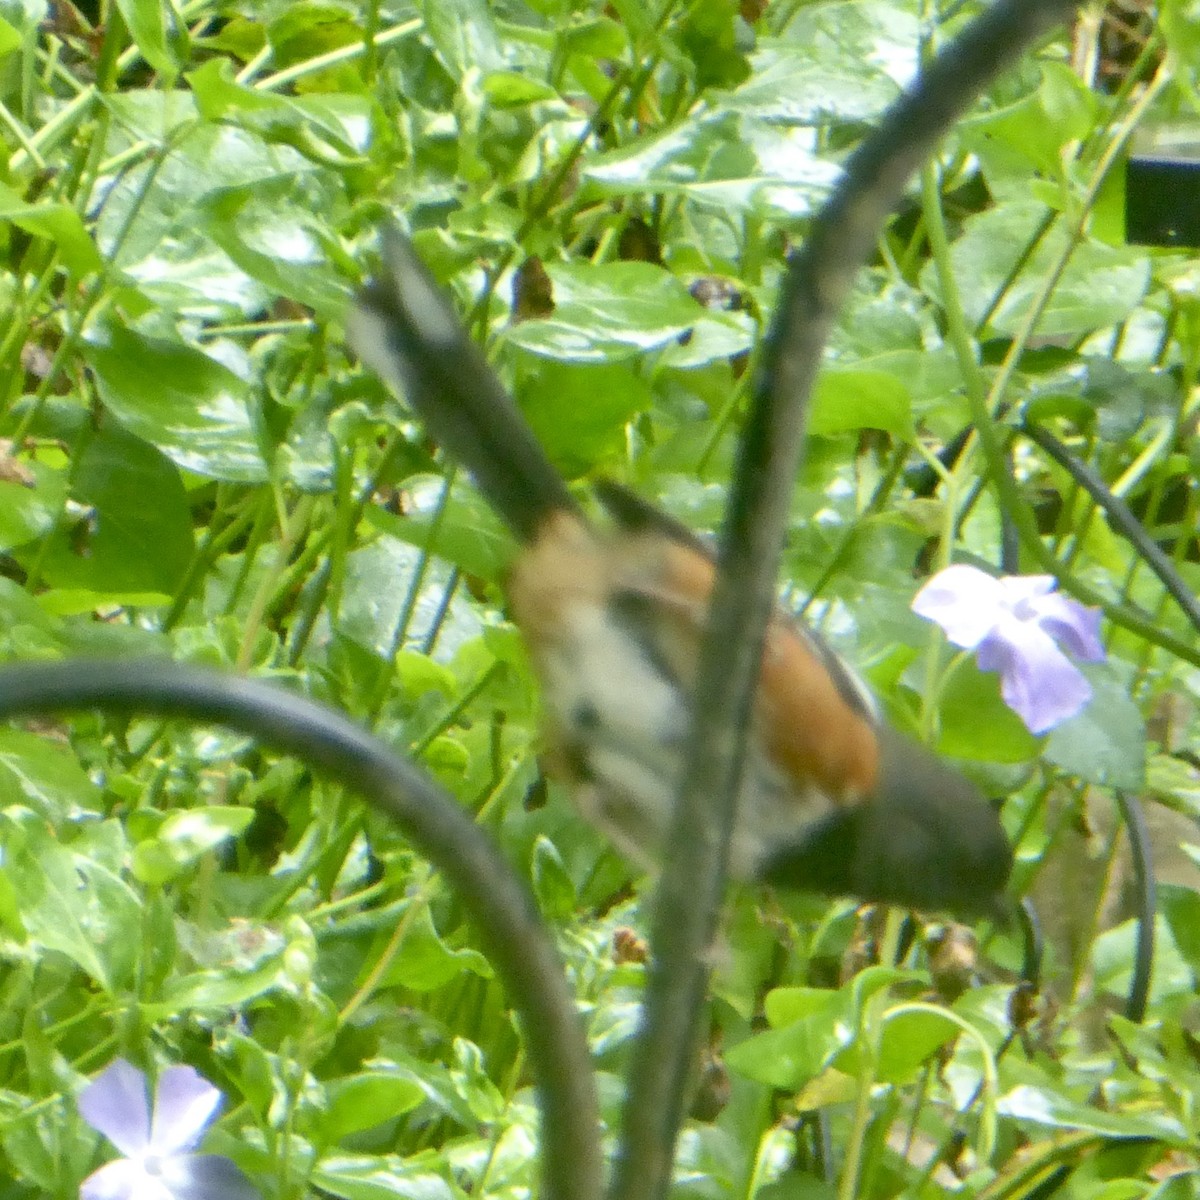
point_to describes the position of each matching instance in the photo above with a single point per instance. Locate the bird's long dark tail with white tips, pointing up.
(405, 328)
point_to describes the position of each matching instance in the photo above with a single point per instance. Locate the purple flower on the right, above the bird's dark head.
(1017, 626)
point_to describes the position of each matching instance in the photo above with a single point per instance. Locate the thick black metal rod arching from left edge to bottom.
(514, 937)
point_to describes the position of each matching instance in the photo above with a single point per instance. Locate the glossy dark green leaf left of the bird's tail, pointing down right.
(178, 399)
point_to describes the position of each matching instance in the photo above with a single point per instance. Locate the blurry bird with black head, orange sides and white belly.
(833, 801)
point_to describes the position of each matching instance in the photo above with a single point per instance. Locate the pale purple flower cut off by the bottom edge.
(158, 1165)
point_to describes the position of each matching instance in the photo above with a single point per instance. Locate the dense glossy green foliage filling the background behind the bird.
(194, 467)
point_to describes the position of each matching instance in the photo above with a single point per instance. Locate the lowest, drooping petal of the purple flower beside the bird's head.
(1039, 682)
